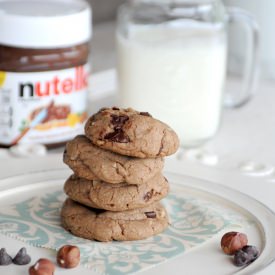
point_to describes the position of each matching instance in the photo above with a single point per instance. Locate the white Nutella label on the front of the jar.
(42, 107)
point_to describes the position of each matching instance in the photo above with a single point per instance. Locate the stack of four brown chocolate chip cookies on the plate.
(117, 183)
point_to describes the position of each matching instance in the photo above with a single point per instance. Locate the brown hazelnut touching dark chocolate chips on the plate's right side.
(233, 241)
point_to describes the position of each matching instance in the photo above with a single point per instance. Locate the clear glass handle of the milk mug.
(234, 99)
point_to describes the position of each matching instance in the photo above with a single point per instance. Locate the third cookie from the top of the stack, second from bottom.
(116, 197)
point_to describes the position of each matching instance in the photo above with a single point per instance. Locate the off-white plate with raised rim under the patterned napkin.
(205, 259)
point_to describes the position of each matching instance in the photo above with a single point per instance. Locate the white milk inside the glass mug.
(176, 74)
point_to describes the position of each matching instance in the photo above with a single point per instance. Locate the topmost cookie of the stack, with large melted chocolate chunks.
(131, 133)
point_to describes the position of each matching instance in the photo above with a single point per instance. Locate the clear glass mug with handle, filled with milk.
(172, 60)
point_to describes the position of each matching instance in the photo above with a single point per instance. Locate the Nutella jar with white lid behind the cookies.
(44, 50)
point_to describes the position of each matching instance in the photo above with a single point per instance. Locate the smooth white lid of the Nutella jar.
(44, 23)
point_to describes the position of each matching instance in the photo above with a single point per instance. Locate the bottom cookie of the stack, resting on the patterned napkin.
(106, 226)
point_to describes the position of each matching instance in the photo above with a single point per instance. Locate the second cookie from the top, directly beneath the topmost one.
(91, 162)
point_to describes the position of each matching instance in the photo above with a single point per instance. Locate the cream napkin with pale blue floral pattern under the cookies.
(192, 222)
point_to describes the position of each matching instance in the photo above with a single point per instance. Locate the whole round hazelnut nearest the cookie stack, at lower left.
(68, 256)
